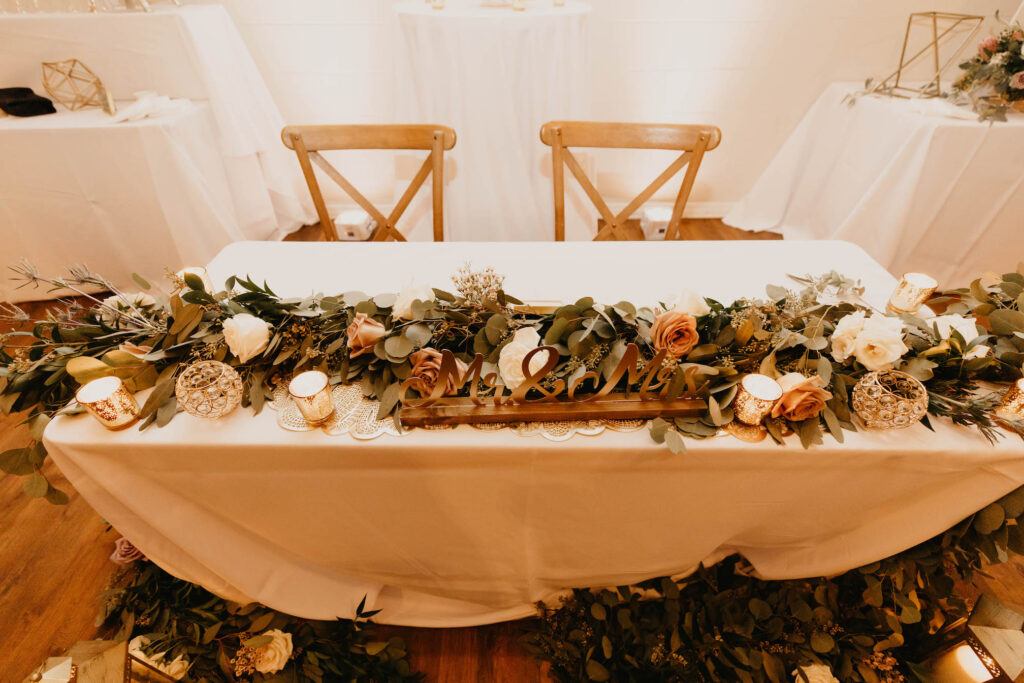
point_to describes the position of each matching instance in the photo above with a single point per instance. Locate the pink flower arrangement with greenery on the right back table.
(994, 79)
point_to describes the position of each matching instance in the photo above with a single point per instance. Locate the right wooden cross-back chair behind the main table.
(694, 142)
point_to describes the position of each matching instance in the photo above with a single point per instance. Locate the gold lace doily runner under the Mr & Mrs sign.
(357, 416)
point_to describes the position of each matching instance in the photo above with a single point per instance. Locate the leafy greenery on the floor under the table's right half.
(721, 624)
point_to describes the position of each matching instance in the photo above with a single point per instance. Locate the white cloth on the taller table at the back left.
(195, 53)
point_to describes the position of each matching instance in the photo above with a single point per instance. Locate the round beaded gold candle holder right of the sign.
(889, 400)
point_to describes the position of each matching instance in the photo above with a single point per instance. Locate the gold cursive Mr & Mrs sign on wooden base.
(558, 401)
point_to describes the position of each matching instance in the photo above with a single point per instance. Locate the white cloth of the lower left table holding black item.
(136, 197)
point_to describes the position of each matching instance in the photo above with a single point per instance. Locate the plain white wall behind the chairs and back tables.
(751, 67)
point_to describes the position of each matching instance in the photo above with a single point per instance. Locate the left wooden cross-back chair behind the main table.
(308, 142)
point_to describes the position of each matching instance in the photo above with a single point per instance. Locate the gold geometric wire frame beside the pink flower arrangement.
(941, 29)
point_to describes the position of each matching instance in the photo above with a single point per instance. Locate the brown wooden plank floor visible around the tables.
(54, 563)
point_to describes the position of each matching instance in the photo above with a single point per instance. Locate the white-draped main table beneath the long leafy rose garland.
(461, 527)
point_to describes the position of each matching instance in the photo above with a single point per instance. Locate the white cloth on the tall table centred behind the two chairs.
(496, 76)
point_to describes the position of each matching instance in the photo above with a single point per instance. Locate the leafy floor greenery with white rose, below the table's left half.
(224, 642)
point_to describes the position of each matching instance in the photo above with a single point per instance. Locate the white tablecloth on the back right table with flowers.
(920, 191)
